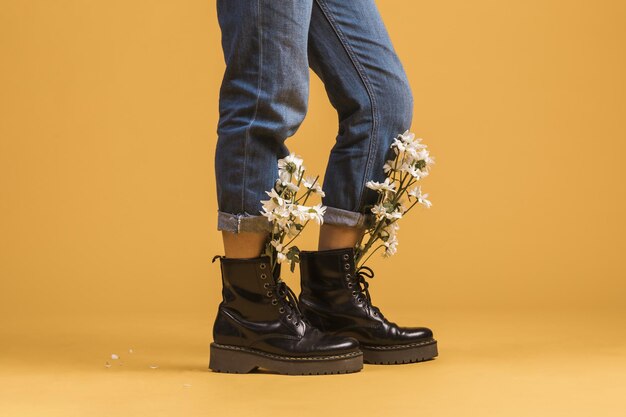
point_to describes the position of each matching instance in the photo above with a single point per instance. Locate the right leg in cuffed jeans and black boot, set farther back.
(350, 50)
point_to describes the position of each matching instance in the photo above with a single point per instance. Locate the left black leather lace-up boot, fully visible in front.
(259, 325)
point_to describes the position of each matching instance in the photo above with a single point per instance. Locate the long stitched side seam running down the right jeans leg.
(368, 88)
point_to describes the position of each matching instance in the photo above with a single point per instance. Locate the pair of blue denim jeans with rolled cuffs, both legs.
(269, 46)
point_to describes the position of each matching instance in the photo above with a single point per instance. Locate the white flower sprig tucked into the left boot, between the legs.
(287, 210)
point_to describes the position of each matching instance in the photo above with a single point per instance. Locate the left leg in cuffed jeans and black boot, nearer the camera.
(263, 100)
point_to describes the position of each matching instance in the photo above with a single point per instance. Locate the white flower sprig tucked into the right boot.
(397, 195)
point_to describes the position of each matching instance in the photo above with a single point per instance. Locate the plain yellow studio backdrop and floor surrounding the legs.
(108, 114)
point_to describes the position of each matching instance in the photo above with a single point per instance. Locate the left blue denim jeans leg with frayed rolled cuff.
(263, 100)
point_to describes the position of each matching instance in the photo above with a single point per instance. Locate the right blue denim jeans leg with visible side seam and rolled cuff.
(350, 50)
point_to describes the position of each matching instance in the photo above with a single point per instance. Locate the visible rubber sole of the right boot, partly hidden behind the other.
(398, 354)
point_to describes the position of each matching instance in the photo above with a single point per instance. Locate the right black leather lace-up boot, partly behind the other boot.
(336, 299)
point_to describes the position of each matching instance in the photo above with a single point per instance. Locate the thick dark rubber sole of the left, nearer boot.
(239, 360)
